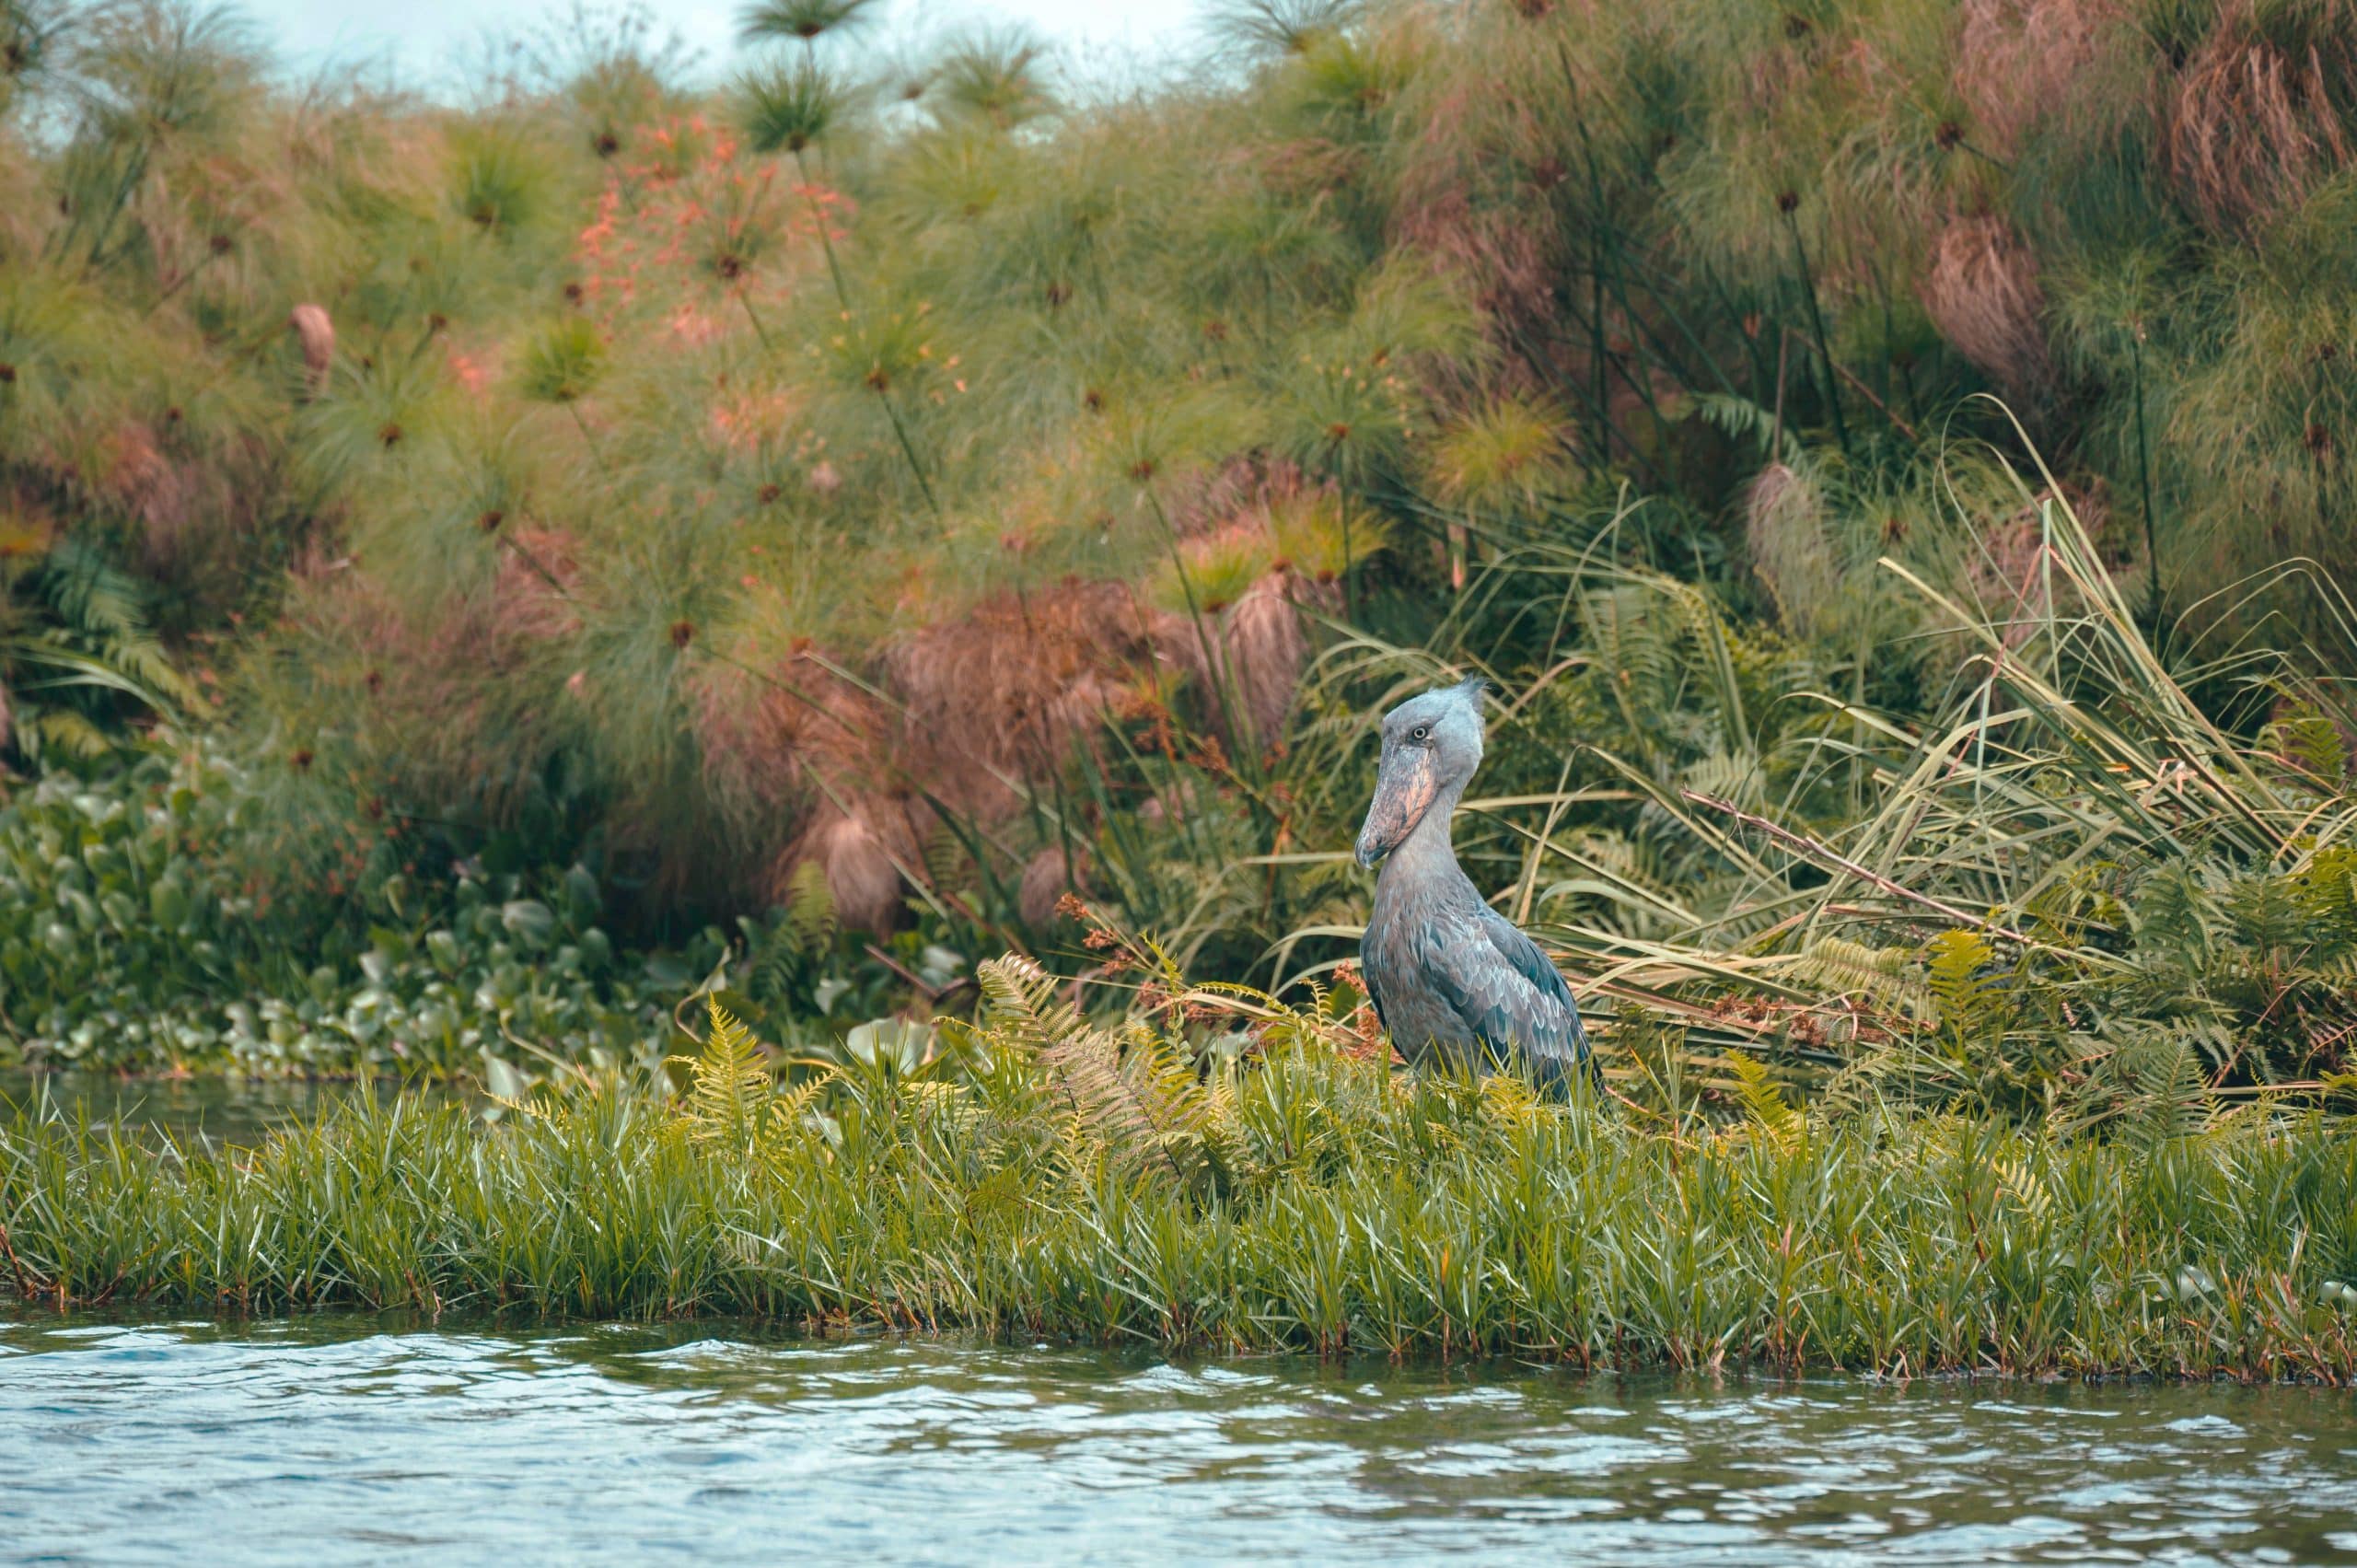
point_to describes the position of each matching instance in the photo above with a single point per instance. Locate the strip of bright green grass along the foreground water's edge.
(1340, 1208)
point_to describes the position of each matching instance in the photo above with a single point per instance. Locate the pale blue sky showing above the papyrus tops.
(430, 39)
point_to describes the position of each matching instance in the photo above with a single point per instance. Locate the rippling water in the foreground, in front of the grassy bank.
(381, 1442)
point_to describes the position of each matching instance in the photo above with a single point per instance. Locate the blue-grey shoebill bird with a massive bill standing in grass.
(1451, 977)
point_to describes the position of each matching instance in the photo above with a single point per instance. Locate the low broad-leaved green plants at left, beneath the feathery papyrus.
(128, 942)
